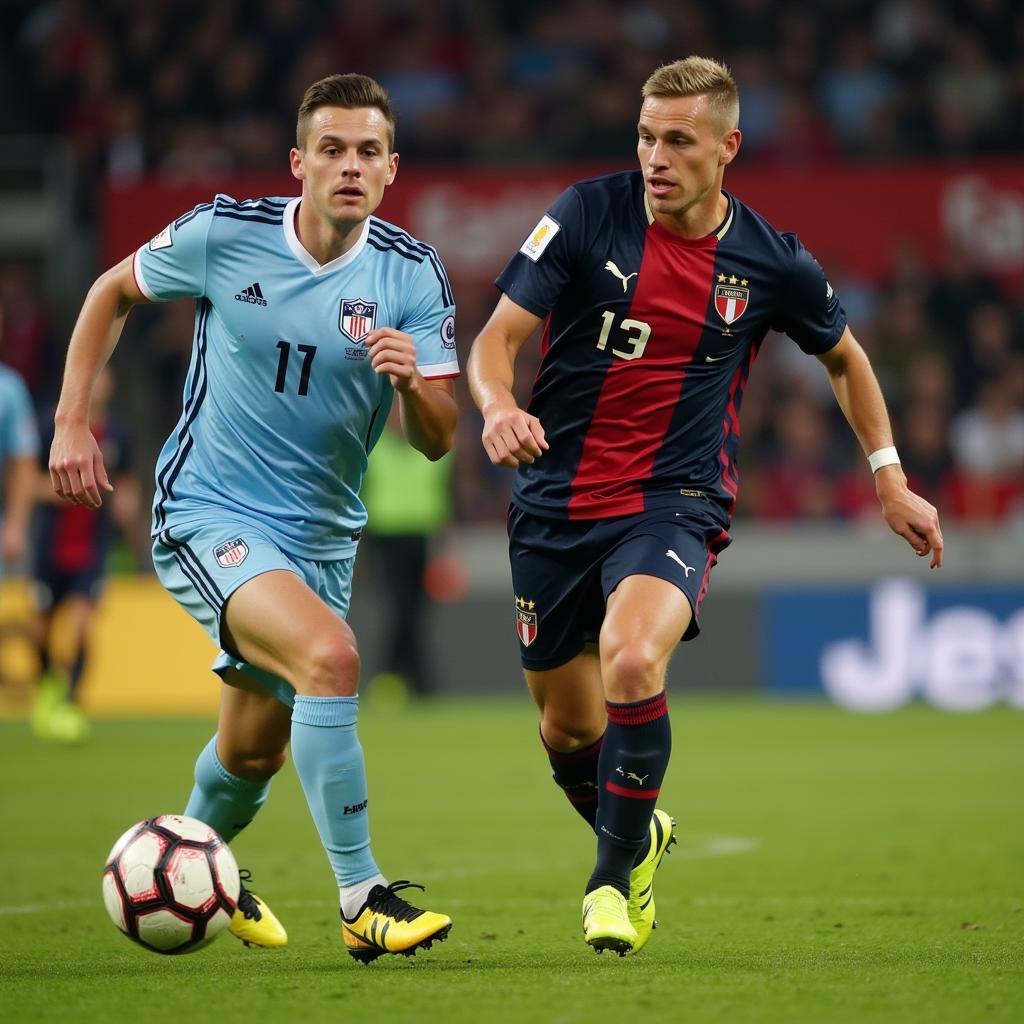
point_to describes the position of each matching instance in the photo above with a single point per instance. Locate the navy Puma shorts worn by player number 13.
(565, 570)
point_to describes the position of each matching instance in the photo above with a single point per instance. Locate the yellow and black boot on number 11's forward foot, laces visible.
(388, 924)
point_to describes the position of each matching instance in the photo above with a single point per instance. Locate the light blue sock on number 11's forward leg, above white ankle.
(329, 760)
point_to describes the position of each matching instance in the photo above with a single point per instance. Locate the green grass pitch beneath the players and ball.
(831, 868)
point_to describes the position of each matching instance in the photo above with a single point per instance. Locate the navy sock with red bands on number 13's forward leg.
(632, 765)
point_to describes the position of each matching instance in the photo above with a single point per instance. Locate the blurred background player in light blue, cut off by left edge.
(19, 449)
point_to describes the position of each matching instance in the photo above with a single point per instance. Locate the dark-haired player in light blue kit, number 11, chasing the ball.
(311, 316)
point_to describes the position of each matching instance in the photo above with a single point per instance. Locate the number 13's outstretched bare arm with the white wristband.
(861, 399)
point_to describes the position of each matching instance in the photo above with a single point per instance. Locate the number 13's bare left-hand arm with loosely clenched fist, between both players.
(511, 436)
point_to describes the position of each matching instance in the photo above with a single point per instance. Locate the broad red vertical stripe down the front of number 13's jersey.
(639, 396)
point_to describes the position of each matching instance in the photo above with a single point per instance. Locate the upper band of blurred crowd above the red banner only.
(193, 88)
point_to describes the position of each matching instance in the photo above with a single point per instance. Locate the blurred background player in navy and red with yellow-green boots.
(70, 545)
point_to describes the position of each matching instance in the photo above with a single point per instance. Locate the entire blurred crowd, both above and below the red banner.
(194, 91)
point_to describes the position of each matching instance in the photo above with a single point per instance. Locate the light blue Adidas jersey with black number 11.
(282, 407)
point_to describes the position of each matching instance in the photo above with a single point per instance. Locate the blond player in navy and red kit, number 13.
(657, 290)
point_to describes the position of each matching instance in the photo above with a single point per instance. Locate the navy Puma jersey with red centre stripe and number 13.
(648, 346)
